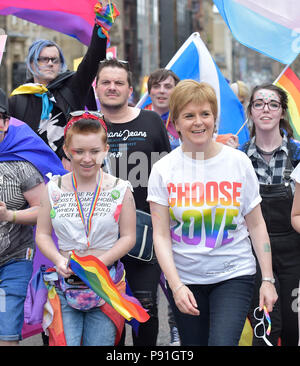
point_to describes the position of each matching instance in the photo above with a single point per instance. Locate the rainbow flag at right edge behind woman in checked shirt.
(289, 82)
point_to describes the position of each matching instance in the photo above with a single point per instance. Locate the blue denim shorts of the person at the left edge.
(14, 278)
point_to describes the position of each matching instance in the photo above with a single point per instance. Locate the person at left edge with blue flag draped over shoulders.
(25, 160)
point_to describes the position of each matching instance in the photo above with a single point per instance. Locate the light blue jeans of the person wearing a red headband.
(86, 328)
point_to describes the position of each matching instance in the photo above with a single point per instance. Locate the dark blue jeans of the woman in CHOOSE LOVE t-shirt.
(223, 310)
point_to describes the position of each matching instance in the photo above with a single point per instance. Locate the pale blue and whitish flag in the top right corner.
(271, 27)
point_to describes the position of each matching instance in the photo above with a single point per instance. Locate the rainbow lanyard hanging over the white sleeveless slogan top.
(87, 223)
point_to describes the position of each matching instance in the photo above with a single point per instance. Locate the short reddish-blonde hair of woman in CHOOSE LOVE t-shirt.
(190, 91)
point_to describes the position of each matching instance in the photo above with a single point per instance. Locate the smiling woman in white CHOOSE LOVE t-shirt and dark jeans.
(204, 200)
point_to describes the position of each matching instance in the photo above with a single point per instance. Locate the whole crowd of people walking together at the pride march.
(225, 218)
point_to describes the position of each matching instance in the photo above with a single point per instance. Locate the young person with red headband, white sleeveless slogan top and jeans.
(92, 213)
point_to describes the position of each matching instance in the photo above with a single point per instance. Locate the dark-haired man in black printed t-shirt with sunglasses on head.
(137, 139)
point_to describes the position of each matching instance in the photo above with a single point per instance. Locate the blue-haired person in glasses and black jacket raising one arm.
(51, 91)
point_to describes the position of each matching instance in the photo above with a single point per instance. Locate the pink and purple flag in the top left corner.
(74, 18)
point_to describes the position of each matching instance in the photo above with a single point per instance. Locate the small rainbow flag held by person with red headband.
(96, 276)
